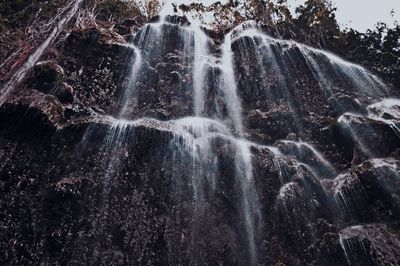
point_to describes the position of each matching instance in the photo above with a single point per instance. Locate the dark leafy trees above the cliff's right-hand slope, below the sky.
(315, 24)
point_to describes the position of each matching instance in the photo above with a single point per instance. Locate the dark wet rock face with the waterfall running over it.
(175, 148)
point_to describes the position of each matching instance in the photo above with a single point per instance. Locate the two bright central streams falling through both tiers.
(204, 130)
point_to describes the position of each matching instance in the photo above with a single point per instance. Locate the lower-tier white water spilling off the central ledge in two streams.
(201, 133)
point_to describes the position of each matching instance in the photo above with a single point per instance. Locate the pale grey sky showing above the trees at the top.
(358, 14)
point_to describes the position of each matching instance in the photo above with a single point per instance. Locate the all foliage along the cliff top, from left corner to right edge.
(313, 23)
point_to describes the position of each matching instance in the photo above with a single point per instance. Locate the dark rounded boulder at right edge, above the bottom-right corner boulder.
(369, 192)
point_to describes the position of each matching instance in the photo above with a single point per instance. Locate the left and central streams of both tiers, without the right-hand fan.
(194, 135)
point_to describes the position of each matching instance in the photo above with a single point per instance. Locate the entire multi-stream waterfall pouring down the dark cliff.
(301, 168)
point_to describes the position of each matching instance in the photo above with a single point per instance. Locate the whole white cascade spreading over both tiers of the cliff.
(196, 135)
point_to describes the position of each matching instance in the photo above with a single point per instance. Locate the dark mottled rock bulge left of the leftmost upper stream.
(94, 61)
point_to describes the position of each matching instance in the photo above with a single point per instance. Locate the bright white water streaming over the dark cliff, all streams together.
(196, 134)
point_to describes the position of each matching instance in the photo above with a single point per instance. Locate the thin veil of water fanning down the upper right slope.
(280, 54)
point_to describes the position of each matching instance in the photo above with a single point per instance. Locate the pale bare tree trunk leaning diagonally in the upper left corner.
(20, 74)
